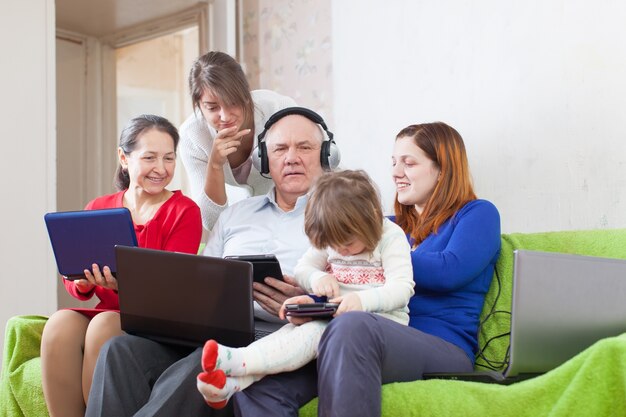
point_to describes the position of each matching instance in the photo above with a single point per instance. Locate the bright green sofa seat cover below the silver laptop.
(593, 383)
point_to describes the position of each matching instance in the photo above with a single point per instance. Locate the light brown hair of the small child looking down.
(342, 206)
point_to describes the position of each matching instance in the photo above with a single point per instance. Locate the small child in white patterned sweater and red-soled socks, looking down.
(359, 260)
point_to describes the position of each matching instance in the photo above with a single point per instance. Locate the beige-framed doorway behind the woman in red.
(104, 82)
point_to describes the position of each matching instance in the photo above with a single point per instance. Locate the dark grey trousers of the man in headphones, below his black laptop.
(138, 377)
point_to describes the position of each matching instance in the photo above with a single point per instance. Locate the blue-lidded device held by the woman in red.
(82, 238)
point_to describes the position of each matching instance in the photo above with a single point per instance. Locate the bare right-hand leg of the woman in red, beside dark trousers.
(101, 328)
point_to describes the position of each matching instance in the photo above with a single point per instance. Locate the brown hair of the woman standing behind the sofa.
(223, 76)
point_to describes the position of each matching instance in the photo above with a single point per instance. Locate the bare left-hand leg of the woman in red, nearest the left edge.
(62, 345)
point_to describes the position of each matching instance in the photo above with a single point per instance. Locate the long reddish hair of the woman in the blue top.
(444, 146)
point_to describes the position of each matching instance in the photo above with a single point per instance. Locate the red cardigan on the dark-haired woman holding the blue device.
(176, 227)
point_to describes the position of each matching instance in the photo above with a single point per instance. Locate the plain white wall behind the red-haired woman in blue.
(536, 88)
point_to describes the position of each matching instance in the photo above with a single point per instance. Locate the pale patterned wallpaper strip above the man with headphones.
(287, 48)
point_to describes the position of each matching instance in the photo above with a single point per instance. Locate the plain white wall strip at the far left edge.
(27, 117)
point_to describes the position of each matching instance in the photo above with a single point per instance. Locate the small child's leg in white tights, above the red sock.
(289, 348)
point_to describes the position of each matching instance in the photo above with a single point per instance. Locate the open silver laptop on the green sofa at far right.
(561, 305)
